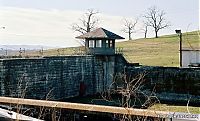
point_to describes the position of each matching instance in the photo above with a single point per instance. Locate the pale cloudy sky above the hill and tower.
(48, 22)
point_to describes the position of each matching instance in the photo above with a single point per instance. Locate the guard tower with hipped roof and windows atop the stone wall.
(100, 42)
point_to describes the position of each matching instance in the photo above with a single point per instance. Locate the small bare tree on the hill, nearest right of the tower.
(129, 27)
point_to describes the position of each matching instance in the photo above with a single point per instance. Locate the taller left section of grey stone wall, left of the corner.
(55, 77)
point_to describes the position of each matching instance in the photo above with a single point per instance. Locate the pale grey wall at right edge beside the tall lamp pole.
(190, 56)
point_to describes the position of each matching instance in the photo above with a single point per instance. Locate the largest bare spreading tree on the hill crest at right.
(156, 18)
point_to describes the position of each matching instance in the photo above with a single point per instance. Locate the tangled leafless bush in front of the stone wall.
(130, 93)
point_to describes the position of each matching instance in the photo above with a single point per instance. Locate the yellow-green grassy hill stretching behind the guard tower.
(162, 51)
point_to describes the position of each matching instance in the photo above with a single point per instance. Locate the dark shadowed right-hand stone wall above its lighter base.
(166, 79)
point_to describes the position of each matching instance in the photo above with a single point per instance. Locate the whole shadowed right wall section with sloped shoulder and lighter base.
(170, 83)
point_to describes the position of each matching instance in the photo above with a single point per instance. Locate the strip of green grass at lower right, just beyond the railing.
(171, 108)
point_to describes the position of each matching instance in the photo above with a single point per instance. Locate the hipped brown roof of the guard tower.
(100, 33)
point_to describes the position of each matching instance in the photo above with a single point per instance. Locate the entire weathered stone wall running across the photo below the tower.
(68, 76)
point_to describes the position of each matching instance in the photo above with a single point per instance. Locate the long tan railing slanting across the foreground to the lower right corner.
(172, 116)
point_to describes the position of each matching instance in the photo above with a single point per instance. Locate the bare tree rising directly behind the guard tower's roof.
(88, 22)
